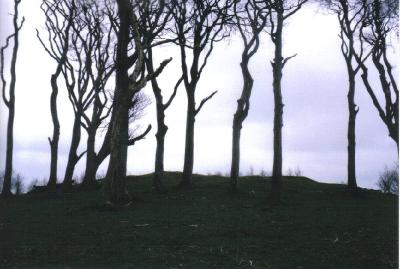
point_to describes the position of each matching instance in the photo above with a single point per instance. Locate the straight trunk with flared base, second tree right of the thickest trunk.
(186, 181)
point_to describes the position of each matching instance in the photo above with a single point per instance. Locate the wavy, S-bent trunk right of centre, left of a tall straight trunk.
(240, 115)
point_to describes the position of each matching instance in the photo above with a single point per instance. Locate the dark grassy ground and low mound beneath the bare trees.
(317, 226)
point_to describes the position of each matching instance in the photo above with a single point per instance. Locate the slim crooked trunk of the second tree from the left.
(56, 130)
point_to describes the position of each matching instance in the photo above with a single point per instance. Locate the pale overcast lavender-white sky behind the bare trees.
(314, 94)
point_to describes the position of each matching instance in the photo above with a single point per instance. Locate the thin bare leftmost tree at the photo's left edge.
(10, 100)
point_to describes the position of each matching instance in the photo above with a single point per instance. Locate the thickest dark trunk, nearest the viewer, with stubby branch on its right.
(127, 85)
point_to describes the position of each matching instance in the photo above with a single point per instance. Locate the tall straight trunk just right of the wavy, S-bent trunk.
(277, 66)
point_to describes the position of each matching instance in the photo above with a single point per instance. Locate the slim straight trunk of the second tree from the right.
(351, 135)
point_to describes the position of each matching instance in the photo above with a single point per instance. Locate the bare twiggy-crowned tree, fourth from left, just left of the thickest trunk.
(99, 21)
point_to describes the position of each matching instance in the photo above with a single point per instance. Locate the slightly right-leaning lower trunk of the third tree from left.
(73, 157)
